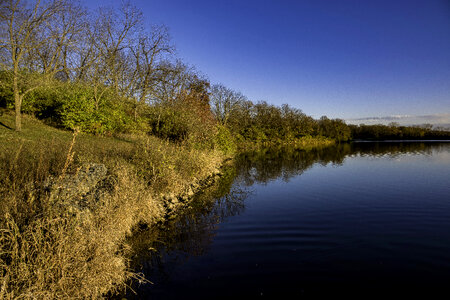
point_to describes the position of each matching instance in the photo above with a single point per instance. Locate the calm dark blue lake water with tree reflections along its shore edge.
(360, 219)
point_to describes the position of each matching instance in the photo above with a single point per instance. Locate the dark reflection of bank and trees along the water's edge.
(157, 252)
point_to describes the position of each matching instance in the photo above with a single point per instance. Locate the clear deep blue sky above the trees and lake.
(345, 59)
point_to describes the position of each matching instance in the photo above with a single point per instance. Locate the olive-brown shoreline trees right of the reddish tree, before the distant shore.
(262, 124)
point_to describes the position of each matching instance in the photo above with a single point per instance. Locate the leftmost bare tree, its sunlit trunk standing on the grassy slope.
(20, 27)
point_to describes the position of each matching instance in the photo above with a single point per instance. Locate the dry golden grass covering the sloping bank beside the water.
(48, 251)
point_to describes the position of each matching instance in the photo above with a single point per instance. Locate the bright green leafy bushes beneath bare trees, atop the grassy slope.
(71, 106)
